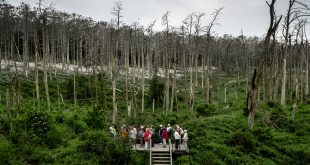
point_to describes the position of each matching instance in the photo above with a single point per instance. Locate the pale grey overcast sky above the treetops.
(249, 15)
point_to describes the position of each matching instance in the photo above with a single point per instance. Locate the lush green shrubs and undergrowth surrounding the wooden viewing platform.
(79, 134)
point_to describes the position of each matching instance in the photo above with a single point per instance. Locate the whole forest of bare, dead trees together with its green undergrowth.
(65, 79)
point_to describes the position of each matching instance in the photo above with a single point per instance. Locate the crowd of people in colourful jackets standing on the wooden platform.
(145, 134)
